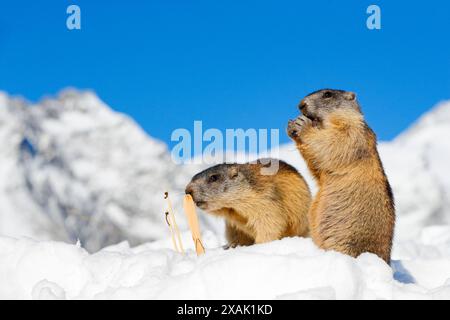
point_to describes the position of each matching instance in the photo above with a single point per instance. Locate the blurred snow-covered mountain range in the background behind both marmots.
(71, 168)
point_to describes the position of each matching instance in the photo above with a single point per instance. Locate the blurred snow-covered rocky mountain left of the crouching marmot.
(71, 168)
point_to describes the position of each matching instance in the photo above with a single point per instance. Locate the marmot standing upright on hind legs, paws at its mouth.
(353, 211)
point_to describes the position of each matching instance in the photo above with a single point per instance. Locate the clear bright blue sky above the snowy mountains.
(231, 64)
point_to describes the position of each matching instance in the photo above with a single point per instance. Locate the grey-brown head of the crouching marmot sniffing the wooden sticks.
(219, 186)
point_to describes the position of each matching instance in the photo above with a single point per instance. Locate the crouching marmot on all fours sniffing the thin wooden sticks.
(257, 207)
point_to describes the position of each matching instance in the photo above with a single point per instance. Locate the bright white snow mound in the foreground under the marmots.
(292, 268)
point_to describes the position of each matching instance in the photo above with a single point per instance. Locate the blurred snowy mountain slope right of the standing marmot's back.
(418, 165)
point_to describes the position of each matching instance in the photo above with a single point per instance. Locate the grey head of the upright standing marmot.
(318, 104)
